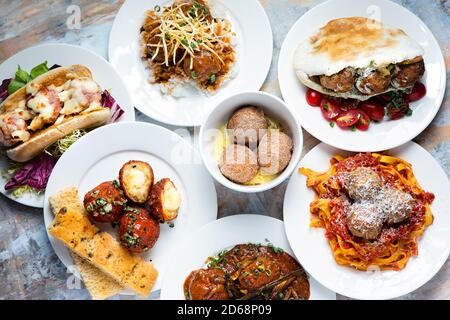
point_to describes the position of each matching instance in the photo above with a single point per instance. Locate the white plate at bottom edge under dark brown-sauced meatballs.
(224, 234)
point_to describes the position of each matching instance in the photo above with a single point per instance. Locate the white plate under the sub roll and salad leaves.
(65, 55)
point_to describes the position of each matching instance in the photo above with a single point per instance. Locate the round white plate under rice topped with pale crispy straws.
(254, 49)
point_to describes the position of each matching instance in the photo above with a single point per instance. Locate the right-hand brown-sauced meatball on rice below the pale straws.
(205, 67)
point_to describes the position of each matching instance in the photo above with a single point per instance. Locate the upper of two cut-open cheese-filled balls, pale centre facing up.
(136, 179)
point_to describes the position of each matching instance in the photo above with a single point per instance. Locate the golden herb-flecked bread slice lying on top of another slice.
(75, 230)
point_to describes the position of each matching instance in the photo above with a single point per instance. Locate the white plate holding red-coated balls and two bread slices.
(99, 156)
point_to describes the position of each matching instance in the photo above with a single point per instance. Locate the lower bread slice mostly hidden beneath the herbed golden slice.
(98, 283)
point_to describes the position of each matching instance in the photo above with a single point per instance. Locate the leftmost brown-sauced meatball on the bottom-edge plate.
(206, 284)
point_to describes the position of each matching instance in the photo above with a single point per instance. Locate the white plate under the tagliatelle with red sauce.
(318, 260)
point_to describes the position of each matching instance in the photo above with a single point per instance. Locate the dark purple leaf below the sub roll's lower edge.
(34, 174)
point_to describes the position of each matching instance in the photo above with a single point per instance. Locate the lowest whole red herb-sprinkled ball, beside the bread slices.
(138, 231)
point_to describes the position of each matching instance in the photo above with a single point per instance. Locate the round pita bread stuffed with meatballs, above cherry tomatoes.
(358, 58)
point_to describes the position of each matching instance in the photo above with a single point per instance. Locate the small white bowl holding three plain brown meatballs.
(273, 107)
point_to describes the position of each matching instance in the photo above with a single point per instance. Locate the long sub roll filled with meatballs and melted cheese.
(48, 108)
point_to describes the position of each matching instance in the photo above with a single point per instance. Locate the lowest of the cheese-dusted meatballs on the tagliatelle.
(364, 220)
